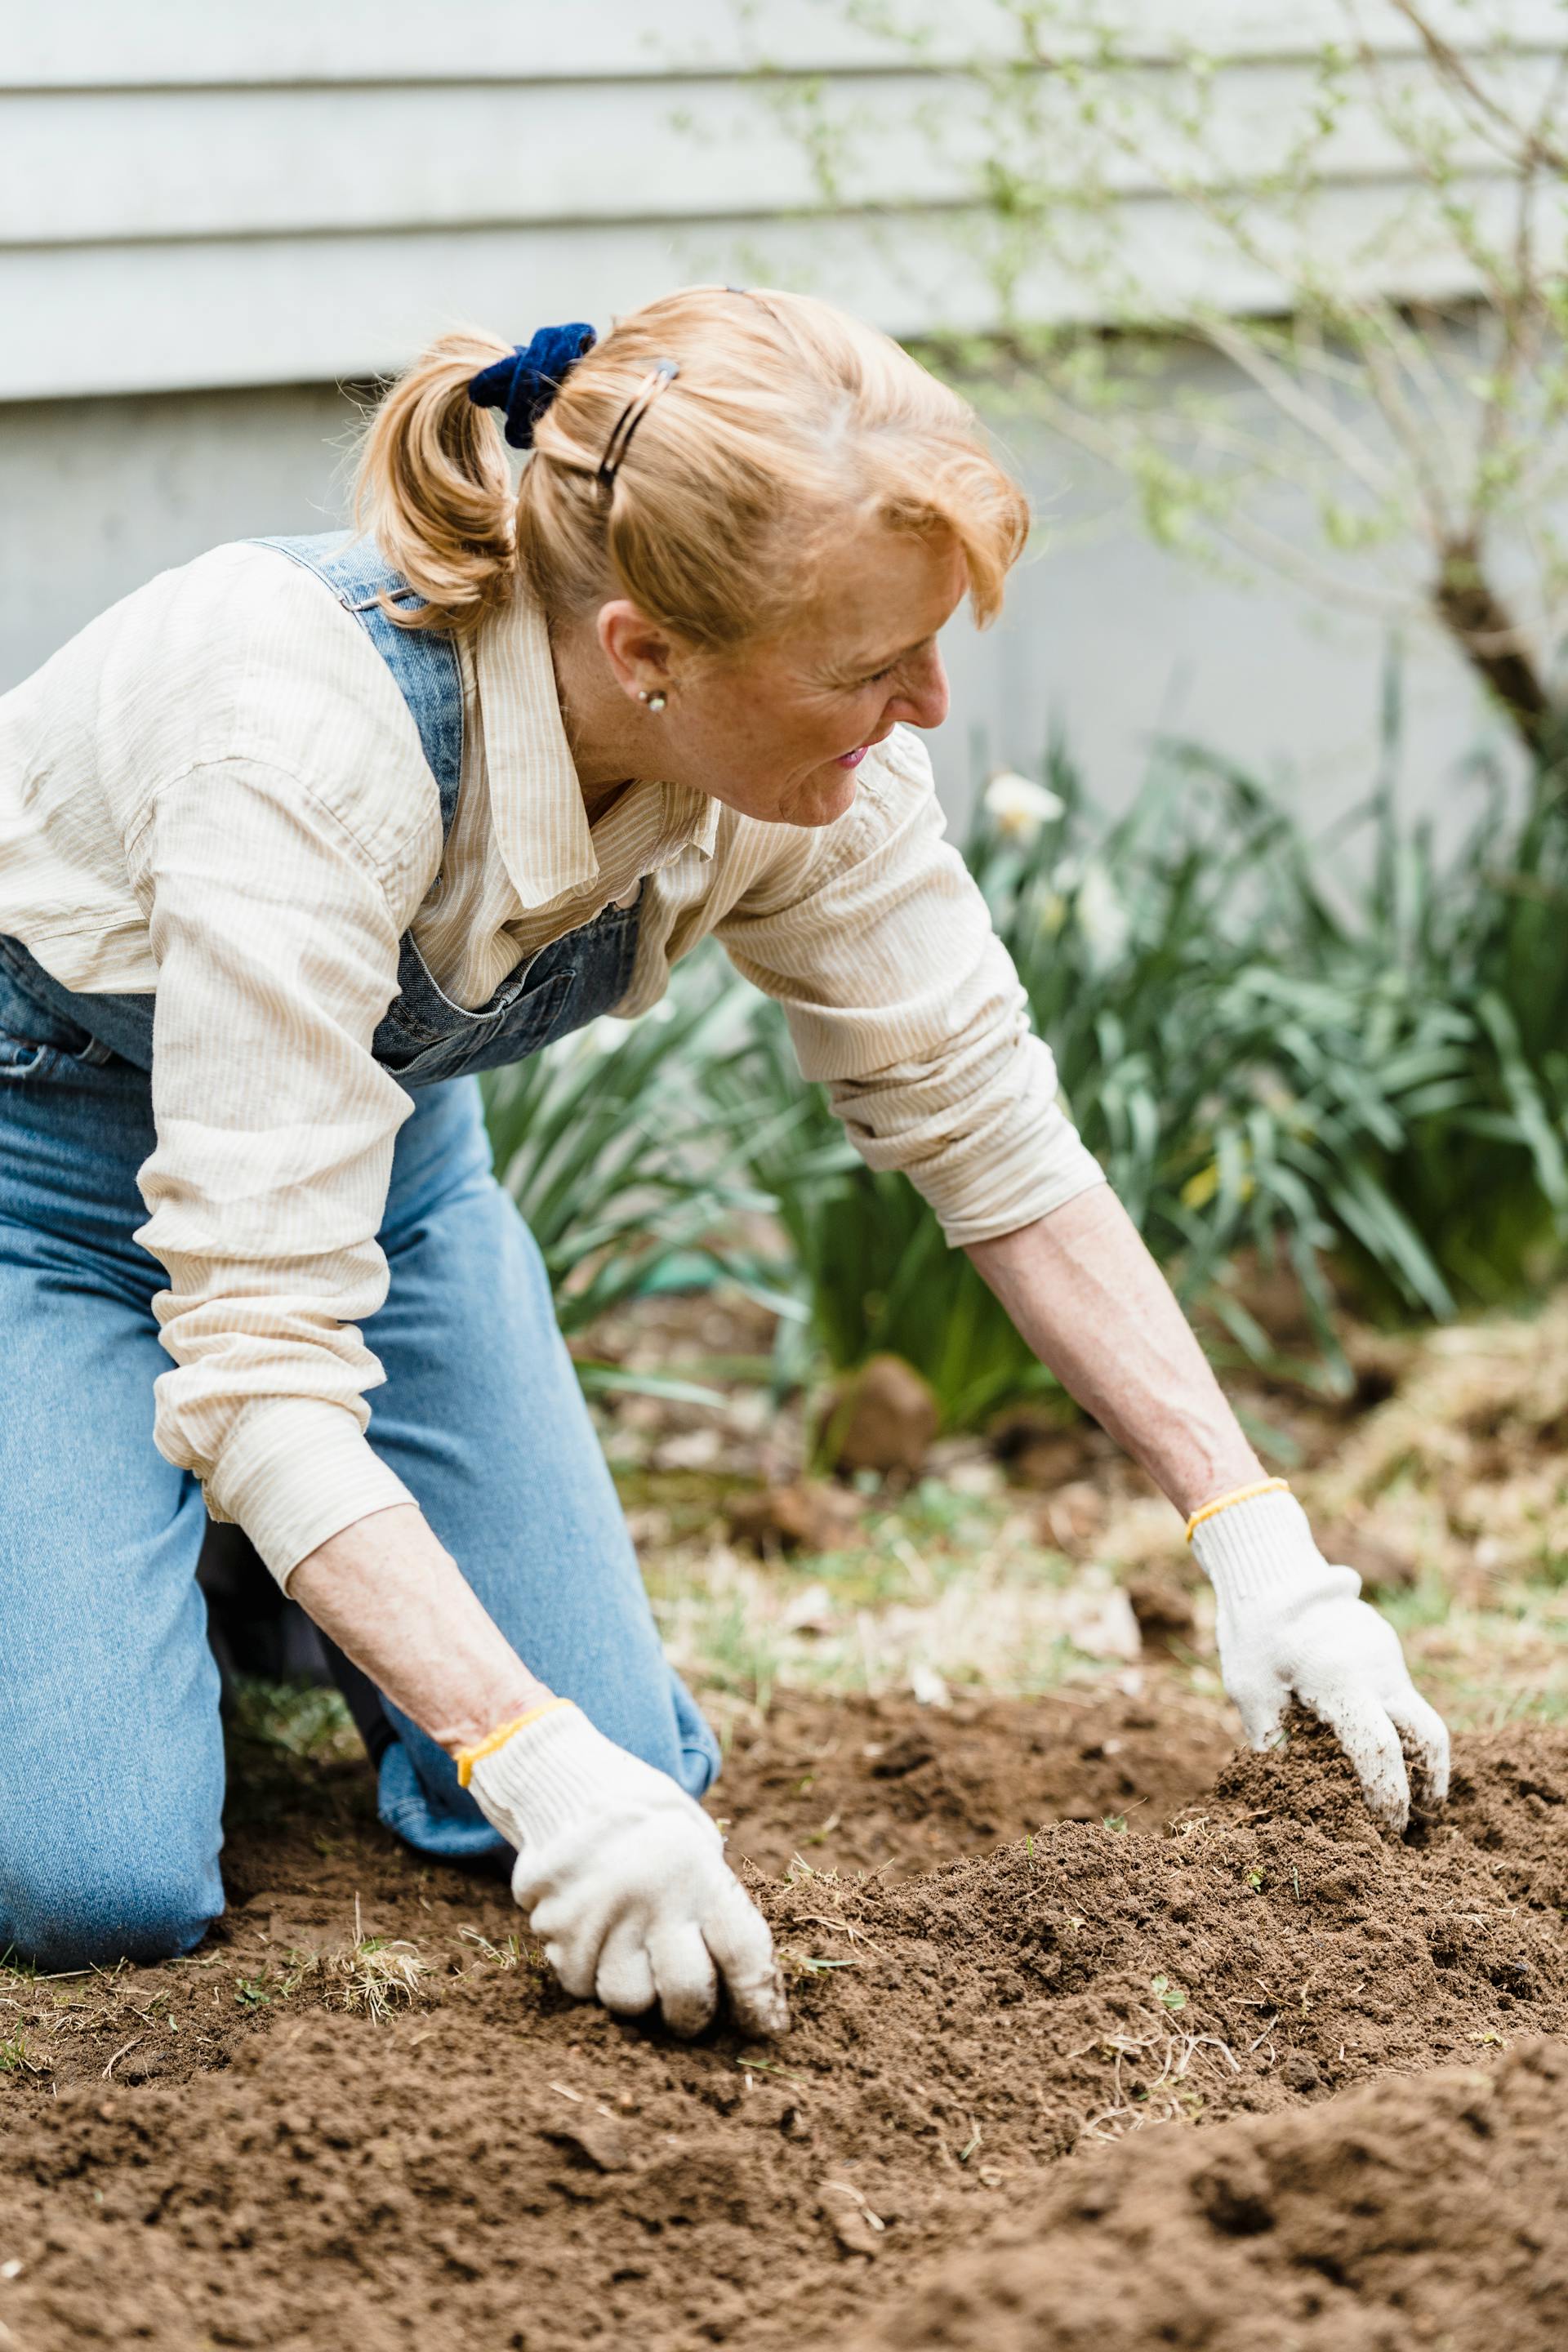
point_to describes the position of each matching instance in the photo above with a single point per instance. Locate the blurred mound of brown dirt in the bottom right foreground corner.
(1409, 2214)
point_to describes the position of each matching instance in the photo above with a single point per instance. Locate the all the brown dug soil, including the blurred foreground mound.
(495, 2167)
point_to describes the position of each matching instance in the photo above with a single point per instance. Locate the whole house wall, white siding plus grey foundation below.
(213, 218)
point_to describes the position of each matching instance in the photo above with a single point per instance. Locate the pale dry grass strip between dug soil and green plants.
(1463, 1474)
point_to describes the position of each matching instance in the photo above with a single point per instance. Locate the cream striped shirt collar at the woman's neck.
(535, 791)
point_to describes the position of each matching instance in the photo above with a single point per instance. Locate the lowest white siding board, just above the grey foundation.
(300, 312)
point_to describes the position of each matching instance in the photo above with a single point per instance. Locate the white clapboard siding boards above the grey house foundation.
(199, 194)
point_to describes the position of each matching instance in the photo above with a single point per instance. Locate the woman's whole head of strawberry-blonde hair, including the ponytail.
(786, 420)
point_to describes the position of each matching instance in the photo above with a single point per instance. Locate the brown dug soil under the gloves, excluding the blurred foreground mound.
(497, 2167)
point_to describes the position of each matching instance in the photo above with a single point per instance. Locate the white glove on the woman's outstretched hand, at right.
(1292, 1626)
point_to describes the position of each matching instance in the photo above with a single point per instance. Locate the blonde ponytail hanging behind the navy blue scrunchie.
(436, 488)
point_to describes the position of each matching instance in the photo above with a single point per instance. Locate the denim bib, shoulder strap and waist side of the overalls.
(424, 1034)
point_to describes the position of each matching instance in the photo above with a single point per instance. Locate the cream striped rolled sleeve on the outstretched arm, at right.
(909, 1010)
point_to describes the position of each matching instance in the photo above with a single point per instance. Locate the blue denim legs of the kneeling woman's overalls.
(112, 1756)
